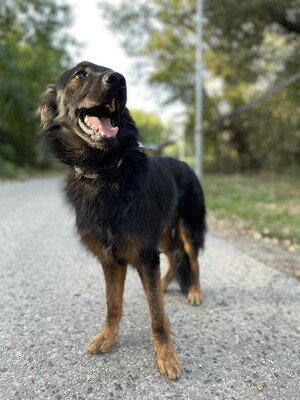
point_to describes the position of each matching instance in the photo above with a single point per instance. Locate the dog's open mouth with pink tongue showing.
(98, 127)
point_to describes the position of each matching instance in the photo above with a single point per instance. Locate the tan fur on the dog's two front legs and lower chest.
(115, 273)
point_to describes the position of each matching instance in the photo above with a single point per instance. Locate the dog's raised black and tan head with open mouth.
(87, 100)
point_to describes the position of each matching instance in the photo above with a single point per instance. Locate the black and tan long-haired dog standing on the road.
(129, 206)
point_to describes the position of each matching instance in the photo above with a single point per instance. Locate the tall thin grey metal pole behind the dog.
(199, 93)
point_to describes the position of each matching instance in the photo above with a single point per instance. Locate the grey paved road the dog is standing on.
(242, 343)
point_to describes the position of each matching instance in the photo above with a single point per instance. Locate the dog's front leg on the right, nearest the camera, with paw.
(149, 271)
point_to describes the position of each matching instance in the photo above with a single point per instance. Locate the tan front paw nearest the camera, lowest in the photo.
(168, 363)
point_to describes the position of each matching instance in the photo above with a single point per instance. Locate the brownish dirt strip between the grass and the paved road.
(284, 256)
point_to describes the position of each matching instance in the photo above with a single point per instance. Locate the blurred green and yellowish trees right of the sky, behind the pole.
(248, 46)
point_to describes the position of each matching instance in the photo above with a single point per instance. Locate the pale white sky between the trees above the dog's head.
(101, 46)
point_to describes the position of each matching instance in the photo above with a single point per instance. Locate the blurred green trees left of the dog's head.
(32, 53)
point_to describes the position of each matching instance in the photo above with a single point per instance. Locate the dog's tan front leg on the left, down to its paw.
(114, 277)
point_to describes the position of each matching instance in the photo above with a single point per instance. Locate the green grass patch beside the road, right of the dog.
(269, 204)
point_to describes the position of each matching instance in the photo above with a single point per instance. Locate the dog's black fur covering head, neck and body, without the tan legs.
(132, 195)
